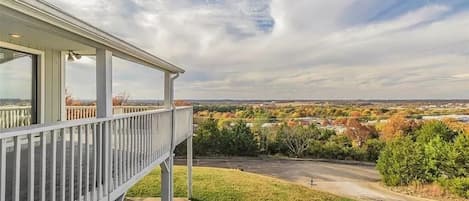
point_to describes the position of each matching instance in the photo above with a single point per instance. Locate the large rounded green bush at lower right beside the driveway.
(433, 153)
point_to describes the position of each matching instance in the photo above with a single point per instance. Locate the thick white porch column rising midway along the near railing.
(104, 109)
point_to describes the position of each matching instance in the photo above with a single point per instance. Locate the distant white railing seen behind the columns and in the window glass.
(16, 116)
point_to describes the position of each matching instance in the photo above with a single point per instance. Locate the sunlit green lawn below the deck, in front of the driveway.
(229, 185)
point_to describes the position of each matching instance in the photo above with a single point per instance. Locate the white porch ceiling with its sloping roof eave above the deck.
(44, 26)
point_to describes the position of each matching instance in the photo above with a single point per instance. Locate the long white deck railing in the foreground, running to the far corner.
(88, 159)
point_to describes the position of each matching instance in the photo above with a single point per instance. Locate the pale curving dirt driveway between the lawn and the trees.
(354, 181)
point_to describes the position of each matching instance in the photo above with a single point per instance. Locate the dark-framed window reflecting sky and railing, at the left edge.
(18, 88)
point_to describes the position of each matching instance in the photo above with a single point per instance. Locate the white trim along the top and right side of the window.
(37, 88)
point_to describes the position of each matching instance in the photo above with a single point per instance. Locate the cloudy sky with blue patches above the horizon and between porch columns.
(279, 49)
